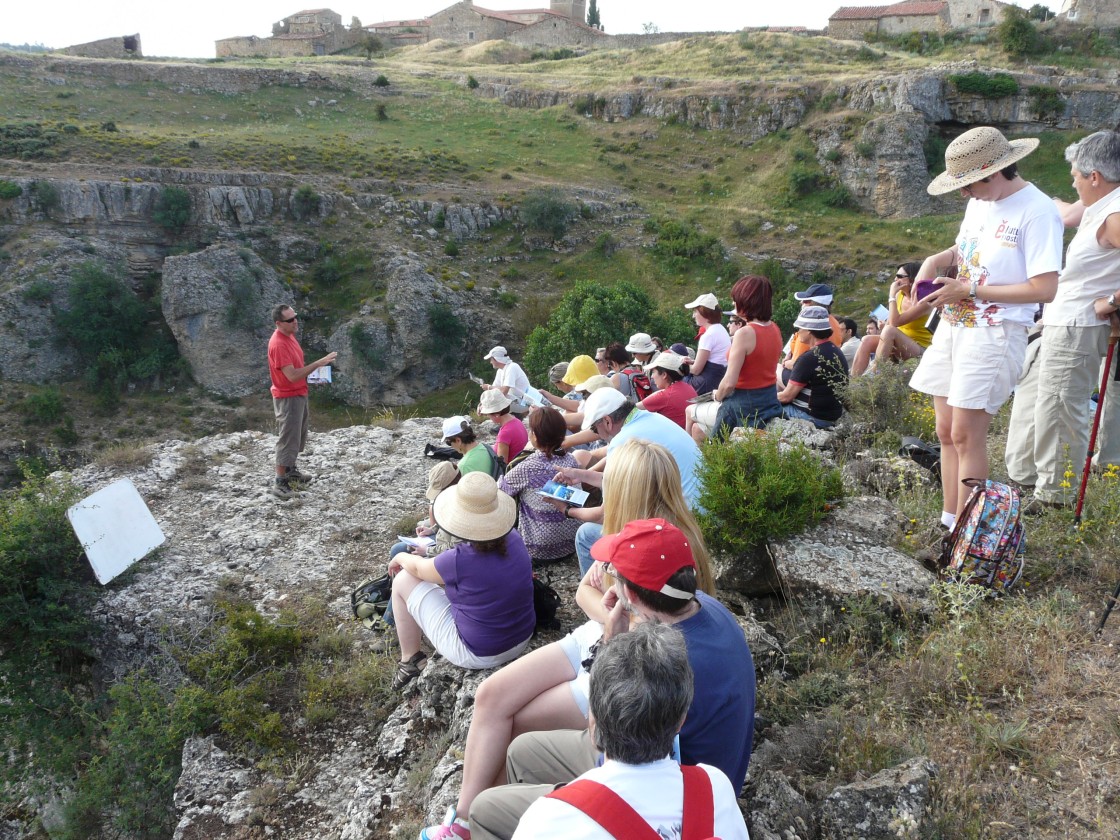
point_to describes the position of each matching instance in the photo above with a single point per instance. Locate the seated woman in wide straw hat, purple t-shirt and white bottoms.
(474, 602)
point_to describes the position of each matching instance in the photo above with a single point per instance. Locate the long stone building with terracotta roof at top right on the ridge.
(853, 23)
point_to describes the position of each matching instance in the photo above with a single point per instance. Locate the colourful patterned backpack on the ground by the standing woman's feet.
(986, 545)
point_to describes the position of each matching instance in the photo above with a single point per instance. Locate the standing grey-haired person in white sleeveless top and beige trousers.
(1049, 433)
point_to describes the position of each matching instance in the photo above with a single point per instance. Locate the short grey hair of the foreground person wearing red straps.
(641, 689)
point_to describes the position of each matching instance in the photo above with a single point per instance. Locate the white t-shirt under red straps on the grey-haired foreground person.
(656, 791)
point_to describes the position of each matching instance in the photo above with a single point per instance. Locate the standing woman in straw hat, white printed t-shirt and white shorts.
(1009, 255)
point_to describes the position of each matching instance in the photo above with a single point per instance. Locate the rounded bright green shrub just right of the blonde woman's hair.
(757, 490)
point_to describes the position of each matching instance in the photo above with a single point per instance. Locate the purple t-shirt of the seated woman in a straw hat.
(491, 595)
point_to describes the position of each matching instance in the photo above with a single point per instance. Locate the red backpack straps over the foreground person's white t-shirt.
(620, 820)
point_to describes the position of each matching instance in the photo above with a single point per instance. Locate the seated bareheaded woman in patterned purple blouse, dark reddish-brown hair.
(549, 535)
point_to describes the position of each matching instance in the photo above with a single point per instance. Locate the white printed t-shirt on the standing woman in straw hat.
(1003, 244)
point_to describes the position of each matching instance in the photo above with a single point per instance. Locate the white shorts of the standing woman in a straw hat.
(976, 368)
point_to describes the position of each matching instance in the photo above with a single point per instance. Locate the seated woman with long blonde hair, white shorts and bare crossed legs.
(548, 688)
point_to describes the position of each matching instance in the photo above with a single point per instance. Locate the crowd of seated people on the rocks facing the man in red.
(624, 425)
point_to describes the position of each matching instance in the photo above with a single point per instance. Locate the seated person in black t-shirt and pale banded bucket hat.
(819, 377)
